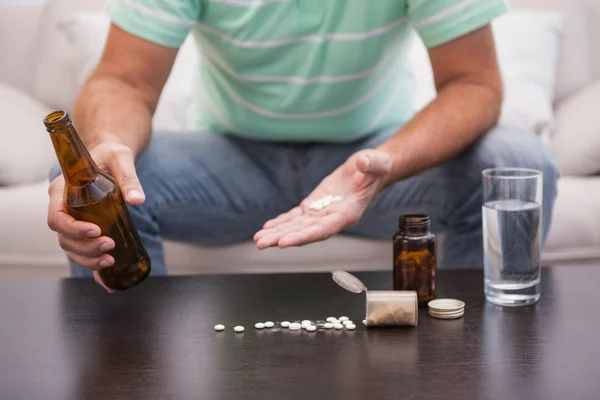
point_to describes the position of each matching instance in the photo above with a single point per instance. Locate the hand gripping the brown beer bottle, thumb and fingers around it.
(81, 240)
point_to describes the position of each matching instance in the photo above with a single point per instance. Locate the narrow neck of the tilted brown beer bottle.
(76, 164)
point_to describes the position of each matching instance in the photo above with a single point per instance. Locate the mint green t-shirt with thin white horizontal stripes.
(302, 70)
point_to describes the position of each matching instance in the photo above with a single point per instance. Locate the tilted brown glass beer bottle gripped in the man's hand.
(92, 195)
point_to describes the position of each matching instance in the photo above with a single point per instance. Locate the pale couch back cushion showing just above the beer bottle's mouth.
(53, 81)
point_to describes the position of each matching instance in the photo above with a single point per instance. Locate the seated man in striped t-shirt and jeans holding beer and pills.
(297, 99)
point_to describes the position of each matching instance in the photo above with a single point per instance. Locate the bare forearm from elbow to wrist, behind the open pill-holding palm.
(462, 112)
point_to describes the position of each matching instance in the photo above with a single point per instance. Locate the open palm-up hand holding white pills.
(357, 181)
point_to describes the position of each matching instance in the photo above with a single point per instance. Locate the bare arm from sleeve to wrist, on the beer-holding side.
(117, 102)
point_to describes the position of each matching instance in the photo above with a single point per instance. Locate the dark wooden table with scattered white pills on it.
(70, 340)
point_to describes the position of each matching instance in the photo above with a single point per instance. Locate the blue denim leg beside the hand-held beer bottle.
(207, 189)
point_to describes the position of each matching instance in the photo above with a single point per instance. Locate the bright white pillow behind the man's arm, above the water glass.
(527, 47)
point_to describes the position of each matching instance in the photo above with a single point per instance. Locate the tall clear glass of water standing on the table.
(512, 205)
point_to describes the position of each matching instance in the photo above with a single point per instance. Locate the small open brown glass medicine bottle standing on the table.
(414, 257)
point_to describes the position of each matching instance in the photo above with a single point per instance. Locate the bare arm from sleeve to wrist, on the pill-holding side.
(469, 98)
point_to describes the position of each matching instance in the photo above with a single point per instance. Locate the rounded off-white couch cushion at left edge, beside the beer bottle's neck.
(26, 152)
